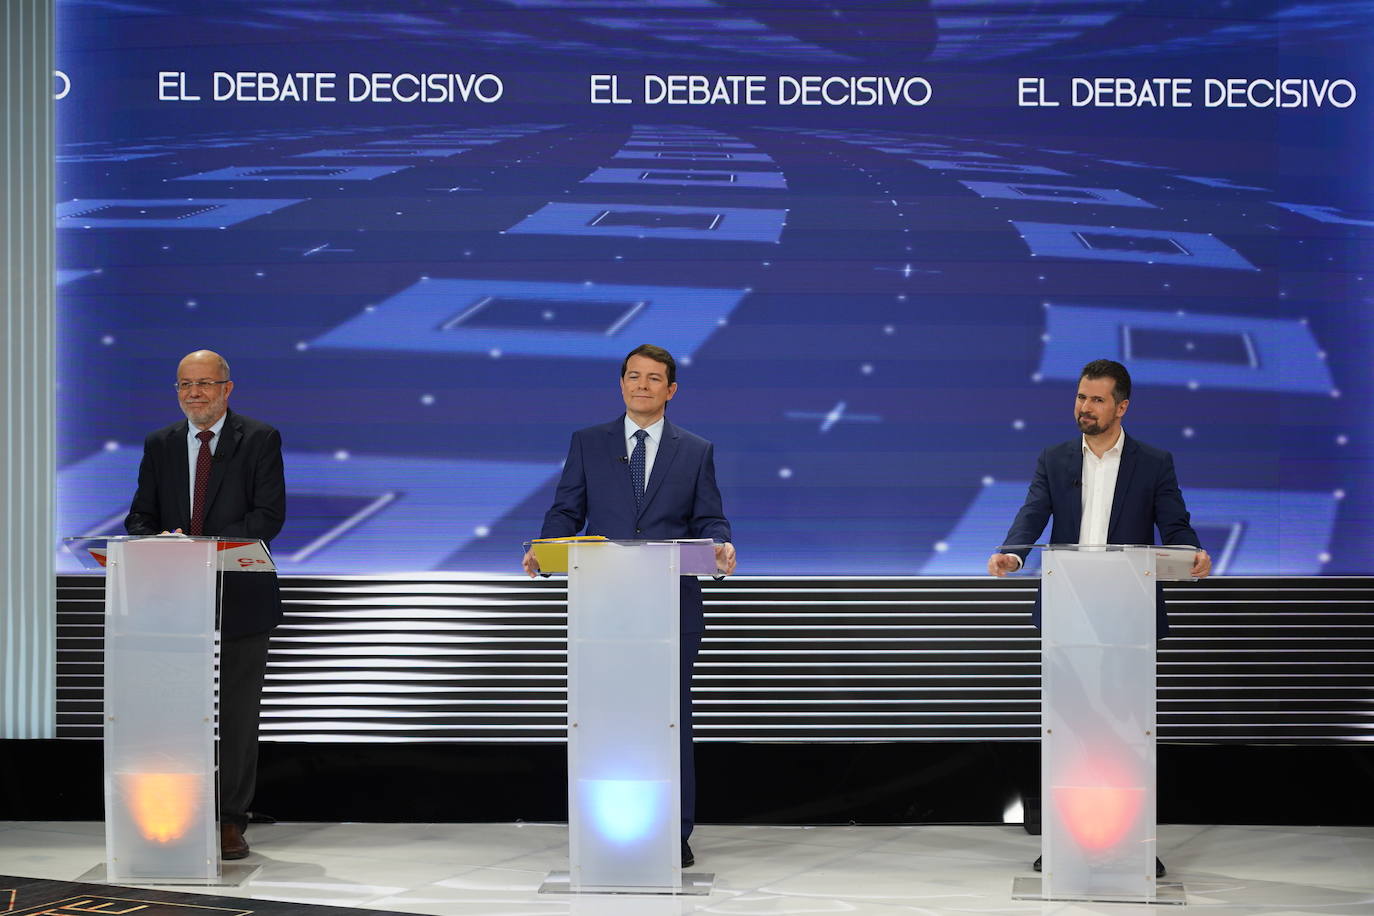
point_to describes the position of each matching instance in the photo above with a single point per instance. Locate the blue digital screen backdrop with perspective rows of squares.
(879, 312)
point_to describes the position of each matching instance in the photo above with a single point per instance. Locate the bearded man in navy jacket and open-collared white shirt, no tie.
(1104, 488)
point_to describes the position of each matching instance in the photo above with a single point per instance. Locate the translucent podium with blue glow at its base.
(624, 804)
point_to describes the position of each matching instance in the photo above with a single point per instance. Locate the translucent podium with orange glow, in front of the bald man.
(161, 664)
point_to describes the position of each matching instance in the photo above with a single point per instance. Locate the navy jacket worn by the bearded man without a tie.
(1147, 498)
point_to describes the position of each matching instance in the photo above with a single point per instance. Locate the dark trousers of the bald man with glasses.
(243, 671)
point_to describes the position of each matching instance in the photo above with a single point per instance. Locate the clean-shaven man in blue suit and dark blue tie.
(642, 479)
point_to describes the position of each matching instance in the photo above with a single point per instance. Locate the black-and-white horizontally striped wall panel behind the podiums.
(802, 660)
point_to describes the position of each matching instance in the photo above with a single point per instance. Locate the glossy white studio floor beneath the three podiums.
(471, 870)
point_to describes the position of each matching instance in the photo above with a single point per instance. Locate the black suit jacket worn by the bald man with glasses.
(247, 498)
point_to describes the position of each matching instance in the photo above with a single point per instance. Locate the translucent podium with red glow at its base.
(1099, 723)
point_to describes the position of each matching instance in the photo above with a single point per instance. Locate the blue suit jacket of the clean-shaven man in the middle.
(681, 498)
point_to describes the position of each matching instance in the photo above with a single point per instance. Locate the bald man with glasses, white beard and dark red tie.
(219, 474)
